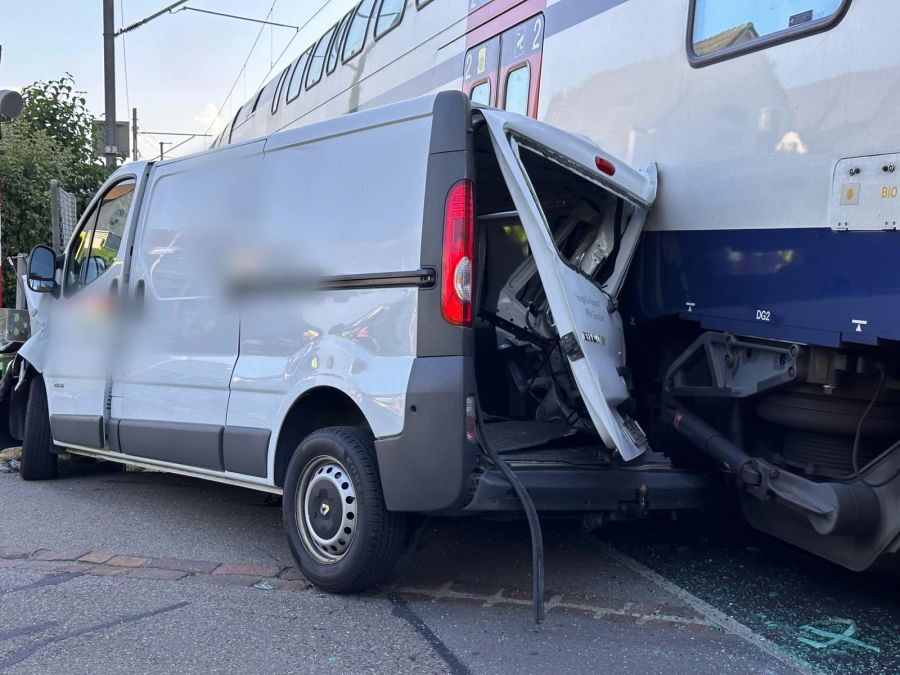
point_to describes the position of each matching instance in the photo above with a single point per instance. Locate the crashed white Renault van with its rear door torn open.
(362, 315)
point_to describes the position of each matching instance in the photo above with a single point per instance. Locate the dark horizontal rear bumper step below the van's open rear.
(629, 491)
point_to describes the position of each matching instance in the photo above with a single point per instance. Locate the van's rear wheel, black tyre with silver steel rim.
(340, 532)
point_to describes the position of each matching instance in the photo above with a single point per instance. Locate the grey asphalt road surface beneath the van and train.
(651, 599)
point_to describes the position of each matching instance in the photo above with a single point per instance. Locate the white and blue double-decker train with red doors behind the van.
(760, 301)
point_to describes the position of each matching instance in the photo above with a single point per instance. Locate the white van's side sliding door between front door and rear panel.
(170, 398)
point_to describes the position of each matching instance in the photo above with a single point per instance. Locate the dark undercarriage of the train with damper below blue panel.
(809, 436)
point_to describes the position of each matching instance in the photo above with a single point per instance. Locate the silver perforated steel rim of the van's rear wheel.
(326, 509)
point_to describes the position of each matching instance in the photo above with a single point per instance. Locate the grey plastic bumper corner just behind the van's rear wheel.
(427, 467)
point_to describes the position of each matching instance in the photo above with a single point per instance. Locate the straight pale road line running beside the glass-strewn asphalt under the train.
(714, 615)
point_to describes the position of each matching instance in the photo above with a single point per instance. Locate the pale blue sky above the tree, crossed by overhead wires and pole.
(180, 67)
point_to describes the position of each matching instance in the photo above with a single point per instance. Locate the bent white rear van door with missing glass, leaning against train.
(584, 310)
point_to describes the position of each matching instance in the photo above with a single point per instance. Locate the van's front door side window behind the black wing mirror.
(94, 248)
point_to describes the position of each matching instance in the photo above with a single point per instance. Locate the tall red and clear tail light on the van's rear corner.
(459, 246)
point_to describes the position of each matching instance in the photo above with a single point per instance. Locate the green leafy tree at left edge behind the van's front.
(51, 139)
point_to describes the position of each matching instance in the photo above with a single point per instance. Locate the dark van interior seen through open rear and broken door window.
(528, 399)
